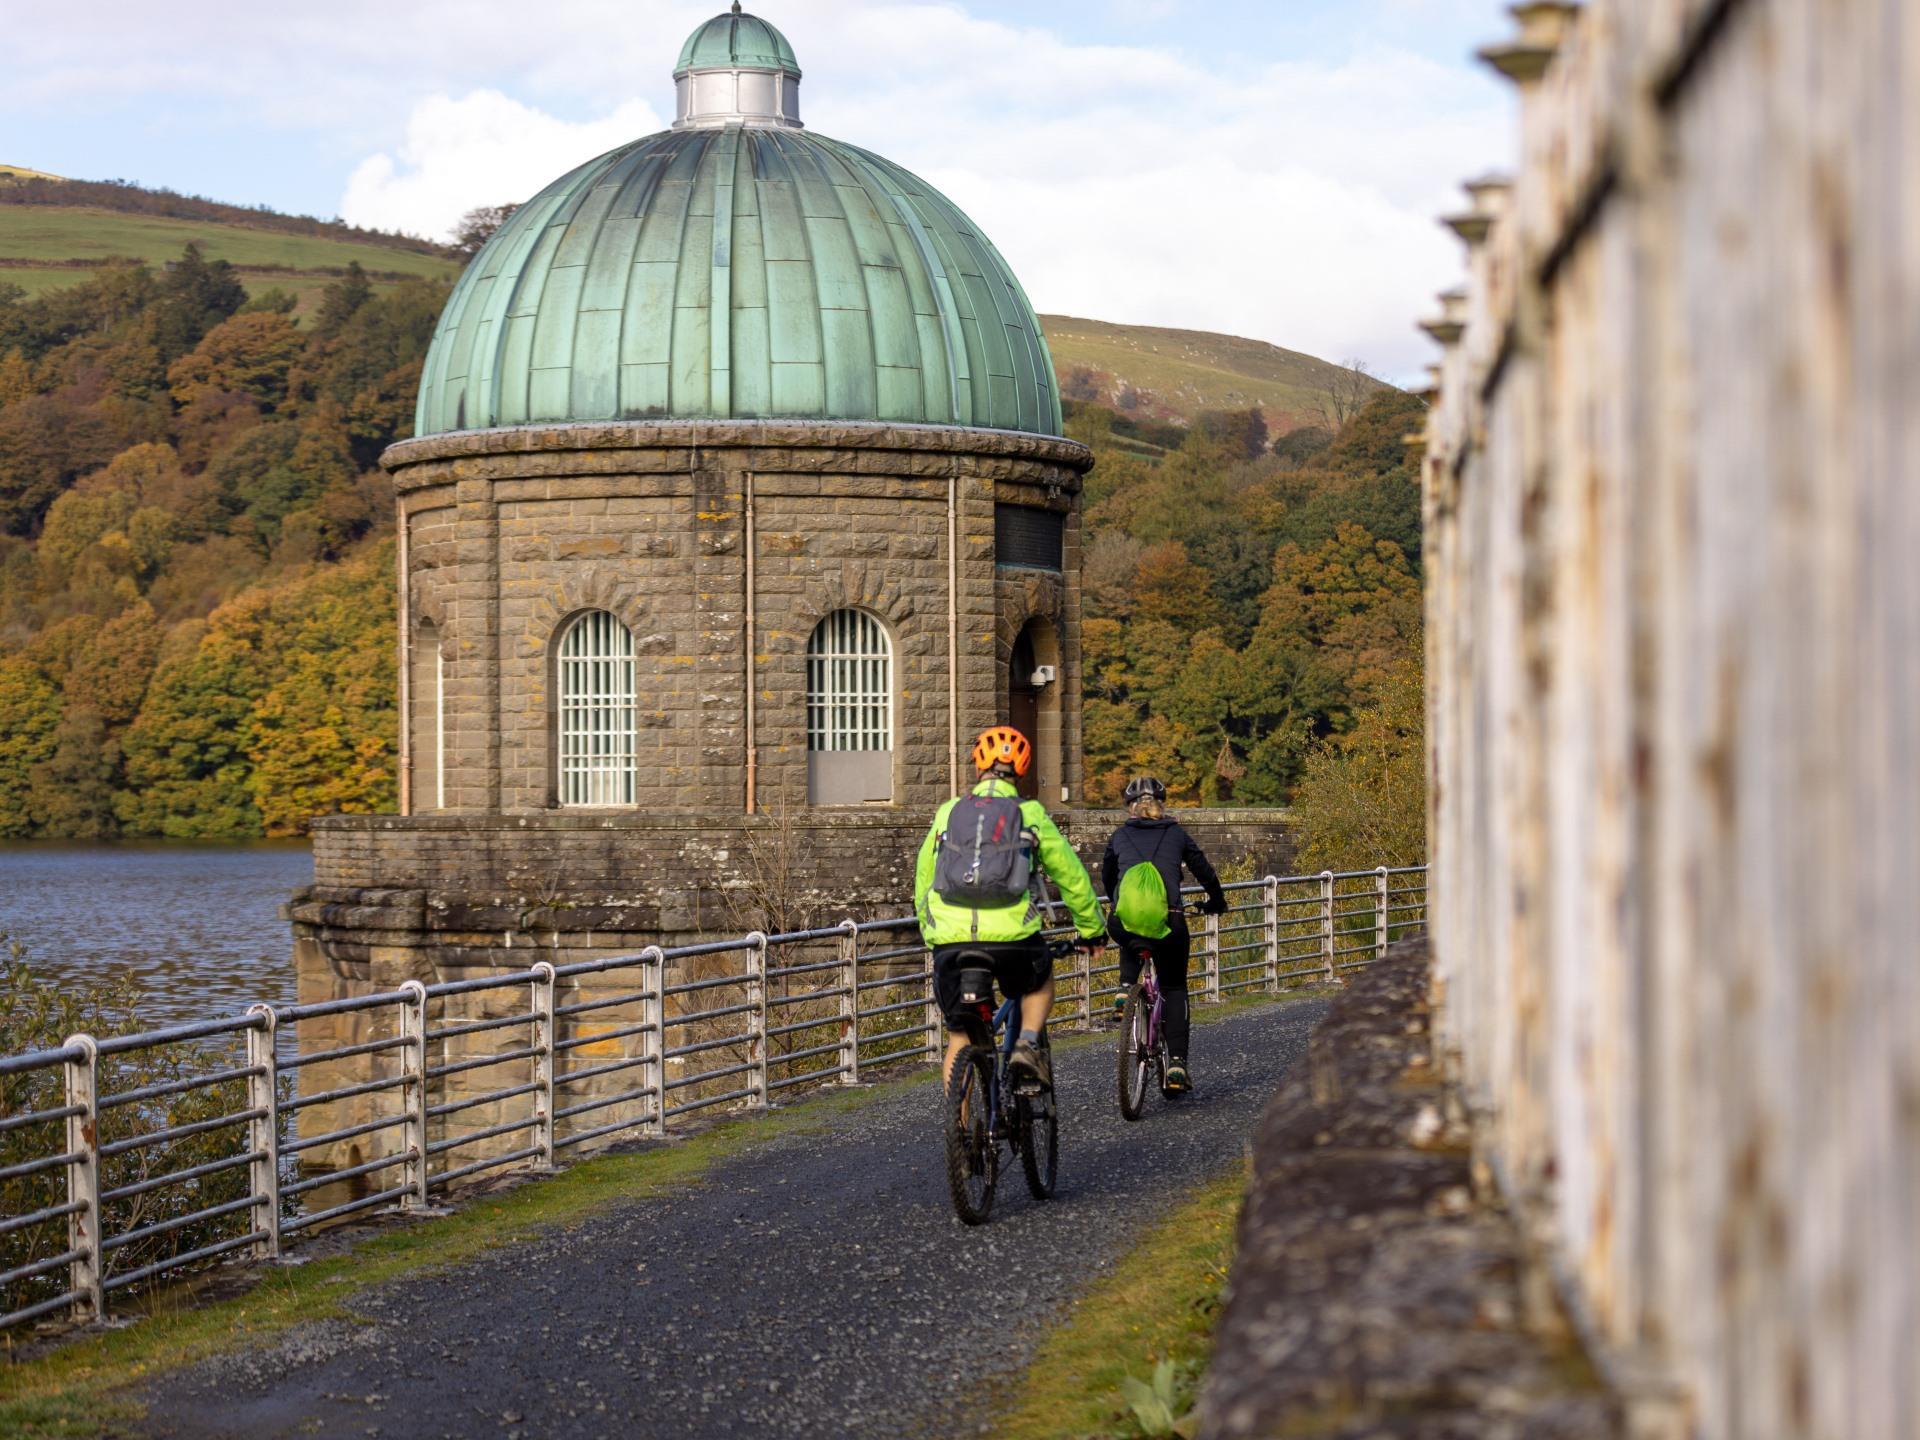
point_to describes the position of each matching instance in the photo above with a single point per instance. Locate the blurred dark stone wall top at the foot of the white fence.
(1374, 1293)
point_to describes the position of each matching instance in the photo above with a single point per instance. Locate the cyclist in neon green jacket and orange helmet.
(1007, 936)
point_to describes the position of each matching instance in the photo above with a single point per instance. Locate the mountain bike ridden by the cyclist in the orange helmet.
(988, 1111)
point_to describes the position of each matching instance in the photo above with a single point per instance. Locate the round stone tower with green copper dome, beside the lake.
(738, 502)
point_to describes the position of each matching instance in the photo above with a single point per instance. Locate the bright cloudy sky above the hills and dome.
(1264, 168)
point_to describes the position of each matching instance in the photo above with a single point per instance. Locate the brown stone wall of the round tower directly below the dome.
(516, 533)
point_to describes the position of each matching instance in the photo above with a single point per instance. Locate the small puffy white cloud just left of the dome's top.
(479, 151)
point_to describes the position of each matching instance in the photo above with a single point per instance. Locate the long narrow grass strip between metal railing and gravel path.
(80, 1389)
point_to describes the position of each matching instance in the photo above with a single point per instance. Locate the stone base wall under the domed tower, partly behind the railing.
(462, 898)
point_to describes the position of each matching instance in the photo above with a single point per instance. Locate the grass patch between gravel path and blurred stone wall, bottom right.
(1157, 1308)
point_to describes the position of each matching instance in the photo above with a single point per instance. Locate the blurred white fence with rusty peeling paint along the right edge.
(1675, 698)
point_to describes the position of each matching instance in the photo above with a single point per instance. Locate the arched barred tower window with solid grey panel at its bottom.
(850, 711)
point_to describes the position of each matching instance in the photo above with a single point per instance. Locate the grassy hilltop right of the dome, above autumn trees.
(1174, 375)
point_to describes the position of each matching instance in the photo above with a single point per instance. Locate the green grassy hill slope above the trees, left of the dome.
(49, 249)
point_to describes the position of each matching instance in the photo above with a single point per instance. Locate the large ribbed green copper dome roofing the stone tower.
(742, 272)
